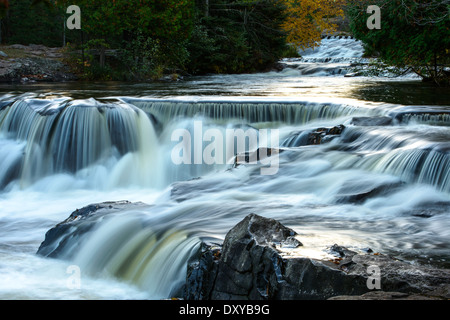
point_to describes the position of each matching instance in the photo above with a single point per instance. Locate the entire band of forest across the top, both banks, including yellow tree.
(145, 39)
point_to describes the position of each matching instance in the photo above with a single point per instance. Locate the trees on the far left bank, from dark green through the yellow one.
(145, 38)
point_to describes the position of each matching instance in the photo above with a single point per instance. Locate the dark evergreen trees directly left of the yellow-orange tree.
(234, 36)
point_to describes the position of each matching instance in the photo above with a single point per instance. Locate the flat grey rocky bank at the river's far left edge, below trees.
(33, 63)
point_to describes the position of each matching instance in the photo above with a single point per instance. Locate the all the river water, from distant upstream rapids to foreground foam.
(379, 185)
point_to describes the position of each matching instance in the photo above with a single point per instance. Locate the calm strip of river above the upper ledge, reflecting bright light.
(285, 83)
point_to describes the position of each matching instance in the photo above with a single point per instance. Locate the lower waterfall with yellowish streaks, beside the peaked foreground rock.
(124, 247)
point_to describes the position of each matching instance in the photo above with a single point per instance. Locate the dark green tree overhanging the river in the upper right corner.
(414, 35)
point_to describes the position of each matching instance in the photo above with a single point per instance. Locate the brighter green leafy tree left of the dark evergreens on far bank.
(134, 25)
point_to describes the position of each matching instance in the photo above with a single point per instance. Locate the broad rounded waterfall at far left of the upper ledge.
(81, 137)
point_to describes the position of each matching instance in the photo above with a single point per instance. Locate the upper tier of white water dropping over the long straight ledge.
(103, 145)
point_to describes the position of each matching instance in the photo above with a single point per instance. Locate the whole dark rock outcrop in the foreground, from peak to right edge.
(261, 259)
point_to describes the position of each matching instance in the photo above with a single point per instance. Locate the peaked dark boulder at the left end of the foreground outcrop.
(248, 265)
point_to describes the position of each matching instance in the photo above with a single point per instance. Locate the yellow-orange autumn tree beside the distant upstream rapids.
(308, 19)
